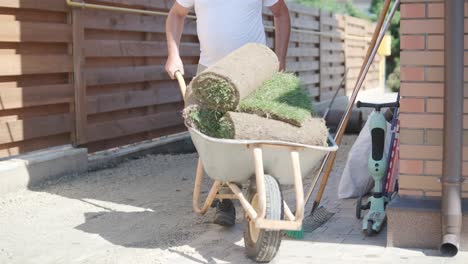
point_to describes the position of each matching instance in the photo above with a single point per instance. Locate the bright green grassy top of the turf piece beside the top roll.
(282, 98)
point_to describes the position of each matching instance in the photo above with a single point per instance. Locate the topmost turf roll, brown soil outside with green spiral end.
(235, 76)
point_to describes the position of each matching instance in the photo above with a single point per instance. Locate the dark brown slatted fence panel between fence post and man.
(129, 95)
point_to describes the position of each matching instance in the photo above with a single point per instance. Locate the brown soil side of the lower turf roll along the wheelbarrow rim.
(249, 126)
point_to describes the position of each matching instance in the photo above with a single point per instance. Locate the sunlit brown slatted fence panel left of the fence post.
(36, 88)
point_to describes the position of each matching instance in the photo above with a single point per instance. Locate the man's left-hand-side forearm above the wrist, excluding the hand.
(174, 28)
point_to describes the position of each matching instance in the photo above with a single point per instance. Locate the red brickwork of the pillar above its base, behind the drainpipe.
(422, 102)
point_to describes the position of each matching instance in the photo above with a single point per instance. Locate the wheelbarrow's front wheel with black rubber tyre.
(262, 245)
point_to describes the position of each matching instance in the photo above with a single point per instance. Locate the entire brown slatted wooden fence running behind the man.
(96, 78)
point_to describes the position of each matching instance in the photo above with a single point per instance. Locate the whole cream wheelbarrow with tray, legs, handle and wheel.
(264, 165)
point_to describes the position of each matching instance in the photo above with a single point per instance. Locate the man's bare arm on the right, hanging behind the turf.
(282, 31)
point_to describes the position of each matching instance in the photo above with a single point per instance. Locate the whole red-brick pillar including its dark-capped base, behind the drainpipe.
(414, 217)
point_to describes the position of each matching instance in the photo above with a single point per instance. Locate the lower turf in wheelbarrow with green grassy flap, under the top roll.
(279, 110)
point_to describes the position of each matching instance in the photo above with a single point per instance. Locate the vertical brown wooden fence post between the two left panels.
(79, 82)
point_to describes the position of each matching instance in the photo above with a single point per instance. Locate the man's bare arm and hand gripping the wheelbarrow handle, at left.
(174, 28)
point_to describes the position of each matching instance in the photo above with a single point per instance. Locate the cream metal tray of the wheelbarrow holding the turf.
(230, 160)
